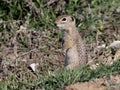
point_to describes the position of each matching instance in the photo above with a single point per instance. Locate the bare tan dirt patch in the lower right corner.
(107, 83)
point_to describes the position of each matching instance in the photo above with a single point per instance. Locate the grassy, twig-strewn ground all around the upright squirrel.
(28, 35)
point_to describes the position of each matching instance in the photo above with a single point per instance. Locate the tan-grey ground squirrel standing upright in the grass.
(73, 46)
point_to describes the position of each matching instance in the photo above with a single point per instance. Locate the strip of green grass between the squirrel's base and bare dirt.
(65, 77)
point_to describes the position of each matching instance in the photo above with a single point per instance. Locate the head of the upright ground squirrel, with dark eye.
(65, 22)
